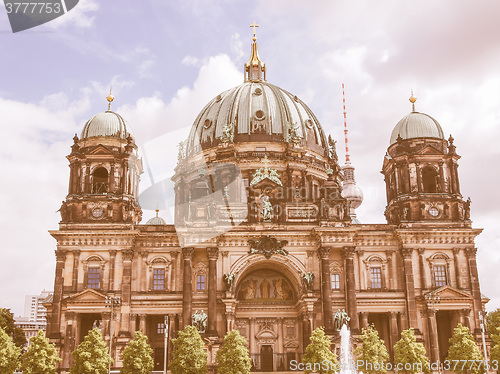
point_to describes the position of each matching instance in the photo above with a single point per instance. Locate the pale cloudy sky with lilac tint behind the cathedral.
(166, 59)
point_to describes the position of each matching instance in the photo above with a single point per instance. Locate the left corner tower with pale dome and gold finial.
(104, 173)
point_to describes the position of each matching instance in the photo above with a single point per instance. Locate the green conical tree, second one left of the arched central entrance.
(188, 354)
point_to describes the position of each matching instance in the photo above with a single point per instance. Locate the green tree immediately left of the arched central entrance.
(233, 357)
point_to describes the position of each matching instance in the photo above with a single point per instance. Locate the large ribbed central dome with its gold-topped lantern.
(256, 111)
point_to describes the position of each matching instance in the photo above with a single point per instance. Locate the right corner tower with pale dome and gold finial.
(421, 176)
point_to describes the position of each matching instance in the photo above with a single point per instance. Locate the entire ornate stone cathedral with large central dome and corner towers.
(265, 236)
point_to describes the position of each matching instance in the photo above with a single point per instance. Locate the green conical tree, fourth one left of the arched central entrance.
(91, 356)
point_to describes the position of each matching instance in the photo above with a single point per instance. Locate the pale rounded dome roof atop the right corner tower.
(417, 125)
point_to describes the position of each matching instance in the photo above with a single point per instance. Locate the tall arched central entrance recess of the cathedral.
(267, 314)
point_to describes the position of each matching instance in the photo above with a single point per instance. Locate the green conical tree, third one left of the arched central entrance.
(137, 356)
